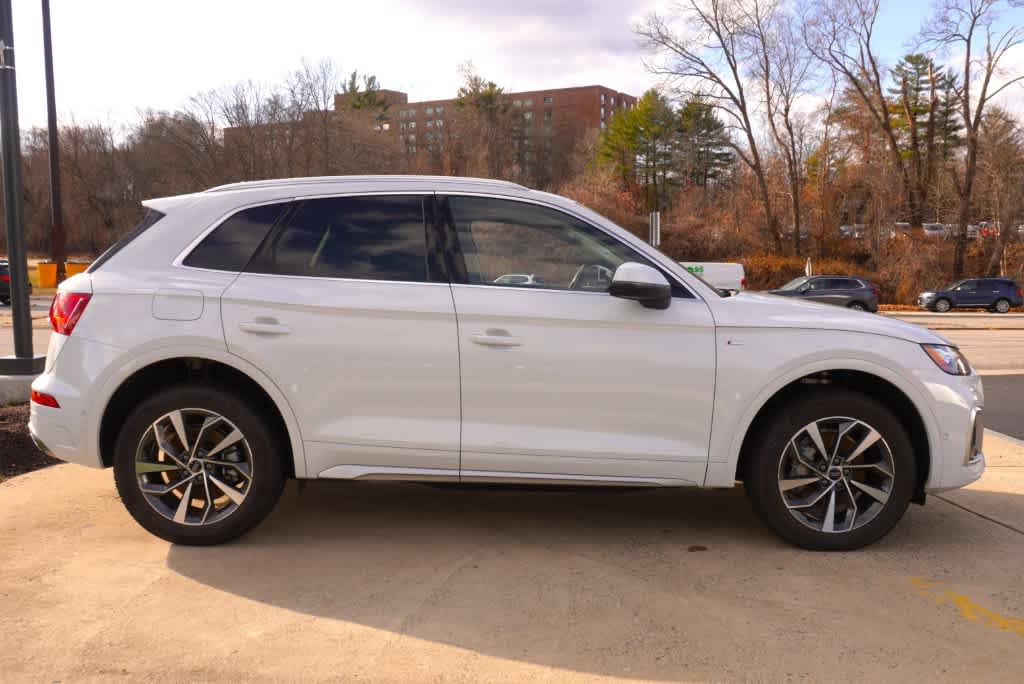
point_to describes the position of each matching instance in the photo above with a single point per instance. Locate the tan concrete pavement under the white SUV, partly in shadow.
(403, 583)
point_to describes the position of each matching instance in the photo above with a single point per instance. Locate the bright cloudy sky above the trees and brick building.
(114, 59)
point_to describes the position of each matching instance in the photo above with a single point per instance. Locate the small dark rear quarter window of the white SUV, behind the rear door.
(232, 245)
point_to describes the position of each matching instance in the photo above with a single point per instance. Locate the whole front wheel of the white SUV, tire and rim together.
(832, 472)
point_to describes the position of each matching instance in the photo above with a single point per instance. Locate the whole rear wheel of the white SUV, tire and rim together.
(197, 465)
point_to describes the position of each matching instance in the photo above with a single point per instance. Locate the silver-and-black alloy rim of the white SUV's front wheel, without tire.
(836, 475)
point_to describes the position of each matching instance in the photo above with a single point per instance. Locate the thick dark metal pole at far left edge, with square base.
(11, 147)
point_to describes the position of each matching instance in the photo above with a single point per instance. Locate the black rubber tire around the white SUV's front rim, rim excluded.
(761, 473)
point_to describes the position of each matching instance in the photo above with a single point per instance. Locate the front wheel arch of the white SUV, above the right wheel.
(894, 396)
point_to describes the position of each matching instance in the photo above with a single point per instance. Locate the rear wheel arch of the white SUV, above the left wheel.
(169, 369)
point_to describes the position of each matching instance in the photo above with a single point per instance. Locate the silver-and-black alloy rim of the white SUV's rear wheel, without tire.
(194, 466)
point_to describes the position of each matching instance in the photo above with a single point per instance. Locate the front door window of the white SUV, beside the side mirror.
(515, 244)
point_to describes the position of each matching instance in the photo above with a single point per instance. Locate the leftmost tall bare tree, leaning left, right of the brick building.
(706, 60)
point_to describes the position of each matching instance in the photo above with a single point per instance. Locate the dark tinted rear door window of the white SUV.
(371, 238)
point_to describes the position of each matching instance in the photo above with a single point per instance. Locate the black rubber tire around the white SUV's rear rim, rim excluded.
(269, 474)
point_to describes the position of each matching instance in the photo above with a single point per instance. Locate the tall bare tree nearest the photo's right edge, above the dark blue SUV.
(969, 27)
